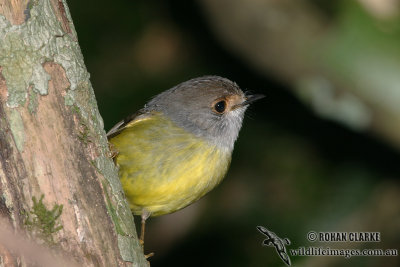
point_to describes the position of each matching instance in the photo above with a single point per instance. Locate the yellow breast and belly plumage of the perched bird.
(163, 168)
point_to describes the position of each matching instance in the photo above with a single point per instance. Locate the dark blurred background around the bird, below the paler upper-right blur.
(292, 171)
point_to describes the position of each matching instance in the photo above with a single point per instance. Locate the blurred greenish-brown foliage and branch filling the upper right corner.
(344, 64)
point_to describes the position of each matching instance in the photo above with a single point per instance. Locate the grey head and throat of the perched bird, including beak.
(210, 107)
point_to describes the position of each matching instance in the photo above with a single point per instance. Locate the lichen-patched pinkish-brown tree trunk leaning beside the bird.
(58, 186)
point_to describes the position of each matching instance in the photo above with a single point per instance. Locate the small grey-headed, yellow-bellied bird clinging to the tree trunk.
(178, 147)
